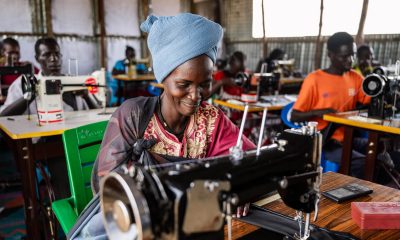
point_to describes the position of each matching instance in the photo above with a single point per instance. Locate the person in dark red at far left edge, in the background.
(11, 53)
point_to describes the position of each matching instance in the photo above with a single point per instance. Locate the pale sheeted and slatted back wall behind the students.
(76, 28)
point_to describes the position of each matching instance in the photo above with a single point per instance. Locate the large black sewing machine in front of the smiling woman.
(193, 199)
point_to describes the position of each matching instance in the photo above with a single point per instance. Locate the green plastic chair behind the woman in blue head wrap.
(81, 148)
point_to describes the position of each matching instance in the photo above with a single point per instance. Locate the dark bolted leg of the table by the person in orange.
(370, 158)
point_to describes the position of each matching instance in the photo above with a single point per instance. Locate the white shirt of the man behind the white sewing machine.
(15, 93)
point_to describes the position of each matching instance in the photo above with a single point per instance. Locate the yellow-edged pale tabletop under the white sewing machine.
(19, 127)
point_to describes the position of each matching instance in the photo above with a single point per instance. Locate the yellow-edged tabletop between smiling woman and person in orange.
(279, 102)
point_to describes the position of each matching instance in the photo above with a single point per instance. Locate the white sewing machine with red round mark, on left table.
(48, 91)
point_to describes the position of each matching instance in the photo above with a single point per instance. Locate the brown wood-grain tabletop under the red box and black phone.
(335, 216)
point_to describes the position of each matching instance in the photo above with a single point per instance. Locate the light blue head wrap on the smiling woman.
(174, 40)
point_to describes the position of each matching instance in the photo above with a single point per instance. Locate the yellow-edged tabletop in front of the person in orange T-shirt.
(359, 119)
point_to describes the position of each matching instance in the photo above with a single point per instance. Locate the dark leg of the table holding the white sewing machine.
(26, 166)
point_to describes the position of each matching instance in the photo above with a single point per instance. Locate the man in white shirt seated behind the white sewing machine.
(48, 55)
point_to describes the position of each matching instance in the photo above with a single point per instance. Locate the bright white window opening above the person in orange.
(298, 18)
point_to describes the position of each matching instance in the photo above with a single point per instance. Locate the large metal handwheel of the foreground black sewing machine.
(120, 199)
